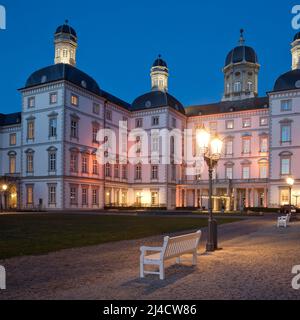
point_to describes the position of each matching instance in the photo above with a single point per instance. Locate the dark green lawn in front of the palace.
(34, 234)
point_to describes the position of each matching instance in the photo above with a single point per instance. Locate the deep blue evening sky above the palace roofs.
(119, 40)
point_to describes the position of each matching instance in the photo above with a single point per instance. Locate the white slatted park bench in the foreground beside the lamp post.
(172, 248)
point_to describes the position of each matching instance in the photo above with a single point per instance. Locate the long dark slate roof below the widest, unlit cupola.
(228, 107)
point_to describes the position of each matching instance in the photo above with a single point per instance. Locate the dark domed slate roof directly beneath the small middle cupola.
(156, 99)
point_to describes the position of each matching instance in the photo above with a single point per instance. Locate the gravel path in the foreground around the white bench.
(255, 263)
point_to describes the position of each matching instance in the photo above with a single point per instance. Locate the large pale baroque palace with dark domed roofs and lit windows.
(48, 151)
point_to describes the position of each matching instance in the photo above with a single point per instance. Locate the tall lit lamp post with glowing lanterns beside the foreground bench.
(211, 148)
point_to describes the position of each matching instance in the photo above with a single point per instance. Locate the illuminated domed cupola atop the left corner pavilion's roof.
(65, 40)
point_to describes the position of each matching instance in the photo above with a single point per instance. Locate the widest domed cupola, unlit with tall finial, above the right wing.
(241, 72)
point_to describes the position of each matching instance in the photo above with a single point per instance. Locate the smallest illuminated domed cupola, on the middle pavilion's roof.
(159, 75)
